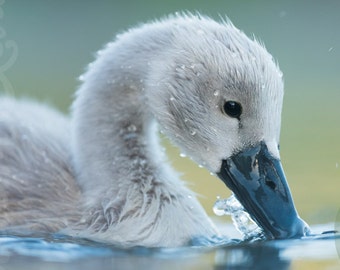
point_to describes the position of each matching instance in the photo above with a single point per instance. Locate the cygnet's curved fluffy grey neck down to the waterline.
(116, 152)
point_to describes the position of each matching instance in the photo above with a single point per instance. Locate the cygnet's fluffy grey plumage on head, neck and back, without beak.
(102, 174)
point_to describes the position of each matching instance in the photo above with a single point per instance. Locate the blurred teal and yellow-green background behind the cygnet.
(56, 40)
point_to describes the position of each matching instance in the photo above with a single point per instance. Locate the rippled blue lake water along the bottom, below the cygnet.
(62, 252)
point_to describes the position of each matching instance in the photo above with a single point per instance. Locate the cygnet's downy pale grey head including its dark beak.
(218, 95)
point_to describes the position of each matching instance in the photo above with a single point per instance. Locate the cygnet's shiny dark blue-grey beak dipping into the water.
(258, 182)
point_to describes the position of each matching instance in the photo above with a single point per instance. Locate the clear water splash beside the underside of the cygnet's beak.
(241, 219)
